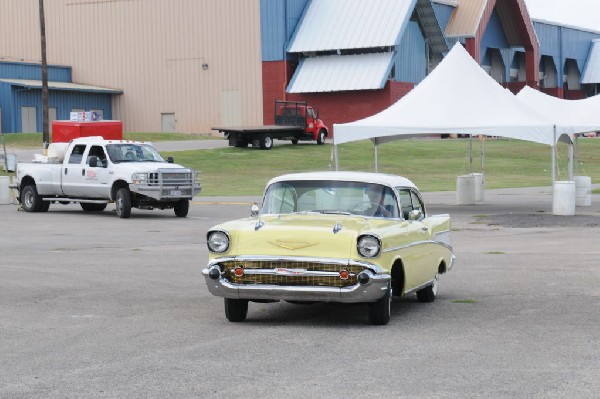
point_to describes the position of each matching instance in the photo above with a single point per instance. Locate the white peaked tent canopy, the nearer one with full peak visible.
(457, 97)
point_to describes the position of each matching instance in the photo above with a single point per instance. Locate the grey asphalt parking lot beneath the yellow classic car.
(96, 306)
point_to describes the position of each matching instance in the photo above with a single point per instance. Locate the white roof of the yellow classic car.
(367, 177)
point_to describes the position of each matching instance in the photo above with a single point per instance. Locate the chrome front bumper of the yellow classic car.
(371, 291)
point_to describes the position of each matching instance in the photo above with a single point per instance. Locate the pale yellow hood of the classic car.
(314, 235)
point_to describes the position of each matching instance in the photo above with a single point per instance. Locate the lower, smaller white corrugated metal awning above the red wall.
(341, 73)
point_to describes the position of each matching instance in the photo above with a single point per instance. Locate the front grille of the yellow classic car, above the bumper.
(290, 273)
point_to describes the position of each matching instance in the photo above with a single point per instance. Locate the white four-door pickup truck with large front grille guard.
(93, 172)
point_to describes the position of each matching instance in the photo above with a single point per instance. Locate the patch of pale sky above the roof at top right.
(580, 13)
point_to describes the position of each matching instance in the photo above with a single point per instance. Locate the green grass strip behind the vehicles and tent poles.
(432, 164)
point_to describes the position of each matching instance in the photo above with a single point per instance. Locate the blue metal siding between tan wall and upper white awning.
(278, 20)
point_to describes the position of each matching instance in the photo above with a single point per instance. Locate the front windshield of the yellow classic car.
(327, 196)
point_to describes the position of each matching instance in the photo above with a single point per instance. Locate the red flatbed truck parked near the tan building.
(294, 121)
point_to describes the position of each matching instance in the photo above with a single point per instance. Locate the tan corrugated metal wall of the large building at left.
(153, 50)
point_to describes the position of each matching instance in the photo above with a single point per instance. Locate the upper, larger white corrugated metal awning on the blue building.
(351, 24)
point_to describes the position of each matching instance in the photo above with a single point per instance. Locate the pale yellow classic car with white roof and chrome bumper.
(331, 236)
